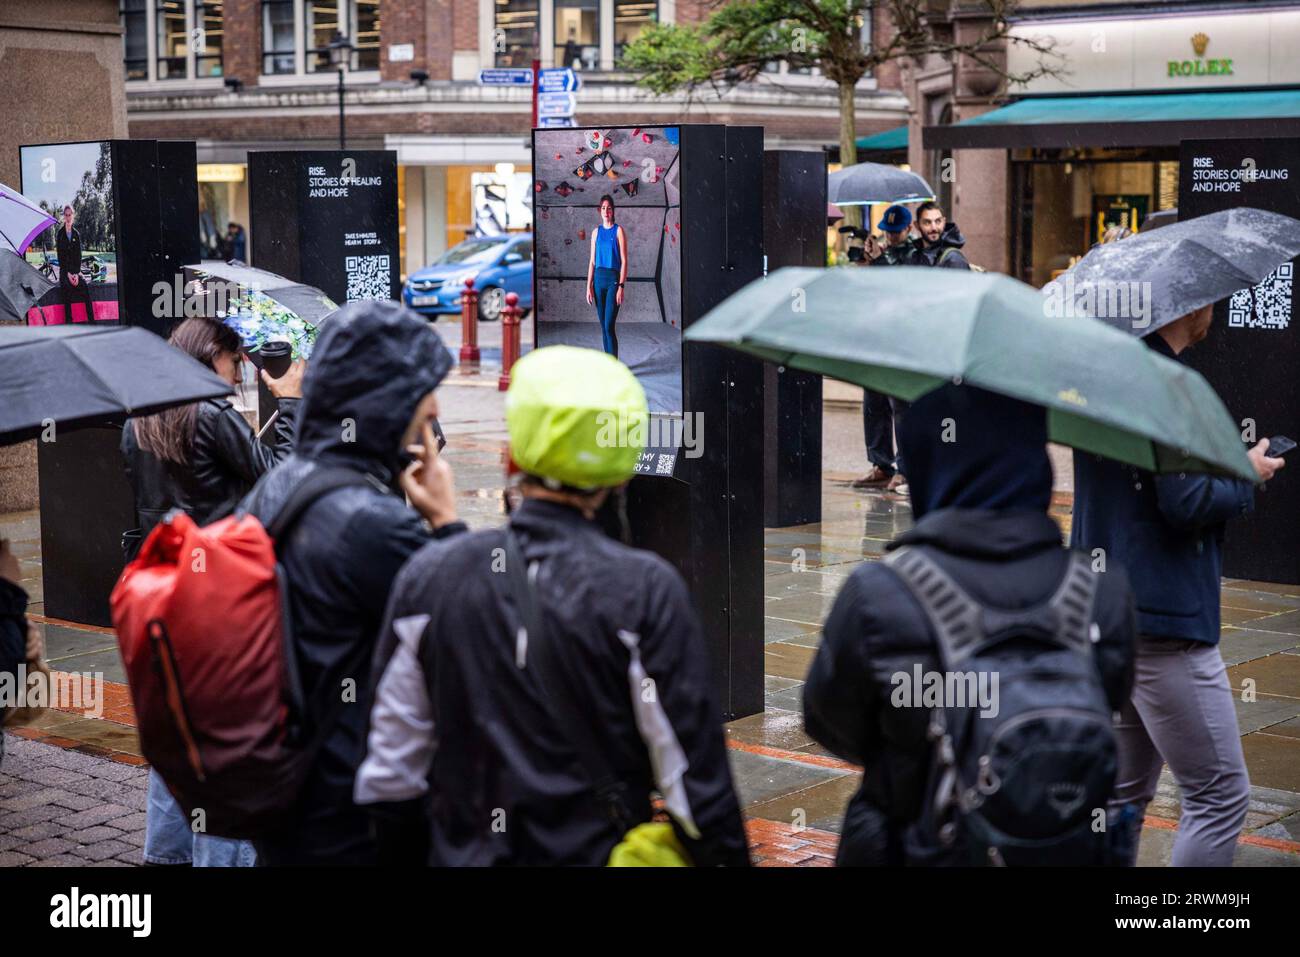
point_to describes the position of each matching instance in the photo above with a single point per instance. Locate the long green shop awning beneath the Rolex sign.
(1056, 123)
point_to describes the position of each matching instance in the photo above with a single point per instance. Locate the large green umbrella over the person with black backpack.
(905, 331)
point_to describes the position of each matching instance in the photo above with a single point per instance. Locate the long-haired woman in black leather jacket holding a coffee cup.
(201, 458)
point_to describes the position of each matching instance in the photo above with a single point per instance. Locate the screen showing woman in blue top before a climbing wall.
(580, 259)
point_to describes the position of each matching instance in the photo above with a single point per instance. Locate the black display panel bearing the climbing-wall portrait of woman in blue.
(691, 201)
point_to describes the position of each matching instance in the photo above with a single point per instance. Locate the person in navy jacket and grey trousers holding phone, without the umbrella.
(1168, 534)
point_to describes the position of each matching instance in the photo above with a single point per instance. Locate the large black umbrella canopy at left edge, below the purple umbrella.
(85, 375)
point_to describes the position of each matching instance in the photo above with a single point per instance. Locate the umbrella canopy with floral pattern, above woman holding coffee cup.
(262, 306)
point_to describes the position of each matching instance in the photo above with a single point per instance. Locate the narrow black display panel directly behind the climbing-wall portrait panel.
(794, 235)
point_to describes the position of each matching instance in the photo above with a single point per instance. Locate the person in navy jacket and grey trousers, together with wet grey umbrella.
(1168, 530)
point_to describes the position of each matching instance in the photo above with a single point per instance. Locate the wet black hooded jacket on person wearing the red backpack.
(370, 370)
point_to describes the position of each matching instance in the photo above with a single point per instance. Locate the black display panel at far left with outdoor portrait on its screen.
(136, 211)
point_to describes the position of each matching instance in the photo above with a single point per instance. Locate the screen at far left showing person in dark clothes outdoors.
(77, 257)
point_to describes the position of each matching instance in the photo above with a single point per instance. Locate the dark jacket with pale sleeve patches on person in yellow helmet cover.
(463, 726)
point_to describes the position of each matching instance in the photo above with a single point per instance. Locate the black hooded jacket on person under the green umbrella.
(981, 504)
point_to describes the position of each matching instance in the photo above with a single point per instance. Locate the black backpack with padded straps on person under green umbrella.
(1026, 785)
